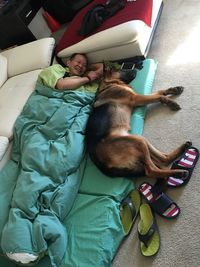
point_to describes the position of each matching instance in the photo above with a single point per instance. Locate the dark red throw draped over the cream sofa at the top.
(133, 10)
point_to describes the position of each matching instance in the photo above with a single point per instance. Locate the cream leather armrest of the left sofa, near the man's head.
(30, 56)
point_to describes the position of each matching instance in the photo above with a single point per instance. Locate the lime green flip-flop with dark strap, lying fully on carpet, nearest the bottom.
(148, 232)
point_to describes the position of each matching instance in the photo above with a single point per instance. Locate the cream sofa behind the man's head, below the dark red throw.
(126, 40)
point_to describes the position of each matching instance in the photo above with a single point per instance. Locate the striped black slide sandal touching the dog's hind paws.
(186, 162)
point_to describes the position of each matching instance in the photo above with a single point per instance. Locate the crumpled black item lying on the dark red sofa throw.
(98, 14)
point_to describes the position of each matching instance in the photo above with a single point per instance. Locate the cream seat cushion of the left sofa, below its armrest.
(13, 95)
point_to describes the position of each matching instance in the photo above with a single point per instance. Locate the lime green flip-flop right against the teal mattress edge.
(129, 210)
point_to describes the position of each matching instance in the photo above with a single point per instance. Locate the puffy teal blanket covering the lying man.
(39, 184)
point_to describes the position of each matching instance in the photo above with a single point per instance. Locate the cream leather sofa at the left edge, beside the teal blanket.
(19, 67)
